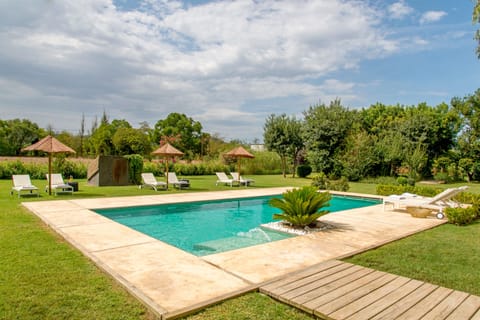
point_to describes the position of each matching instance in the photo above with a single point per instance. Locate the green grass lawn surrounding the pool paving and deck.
(43, 277)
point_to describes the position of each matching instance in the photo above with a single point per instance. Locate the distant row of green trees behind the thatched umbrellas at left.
(118, 137)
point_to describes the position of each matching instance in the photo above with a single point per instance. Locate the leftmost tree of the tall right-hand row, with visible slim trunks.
(283, 136)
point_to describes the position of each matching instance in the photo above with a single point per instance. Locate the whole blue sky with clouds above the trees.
(228, 64)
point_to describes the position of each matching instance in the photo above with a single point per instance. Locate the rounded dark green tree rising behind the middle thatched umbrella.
(188, 132)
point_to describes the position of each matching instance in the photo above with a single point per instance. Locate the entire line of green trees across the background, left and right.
(412, 142)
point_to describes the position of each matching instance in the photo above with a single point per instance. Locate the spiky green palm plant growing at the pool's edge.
(301, 207)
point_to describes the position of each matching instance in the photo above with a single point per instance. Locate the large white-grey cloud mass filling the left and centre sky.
(74, 57)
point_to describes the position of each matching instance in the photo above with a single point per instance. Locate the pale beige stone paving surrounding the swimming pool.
(173, 282)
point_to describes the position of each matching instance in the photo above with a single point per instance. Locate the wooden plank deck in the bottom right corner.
(339, 290)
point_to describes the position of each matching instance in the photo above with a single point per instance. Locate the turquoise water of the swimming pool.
(209, 227)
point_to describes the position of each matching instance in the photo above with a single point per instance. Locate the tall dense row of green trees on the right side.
(409, 141)
